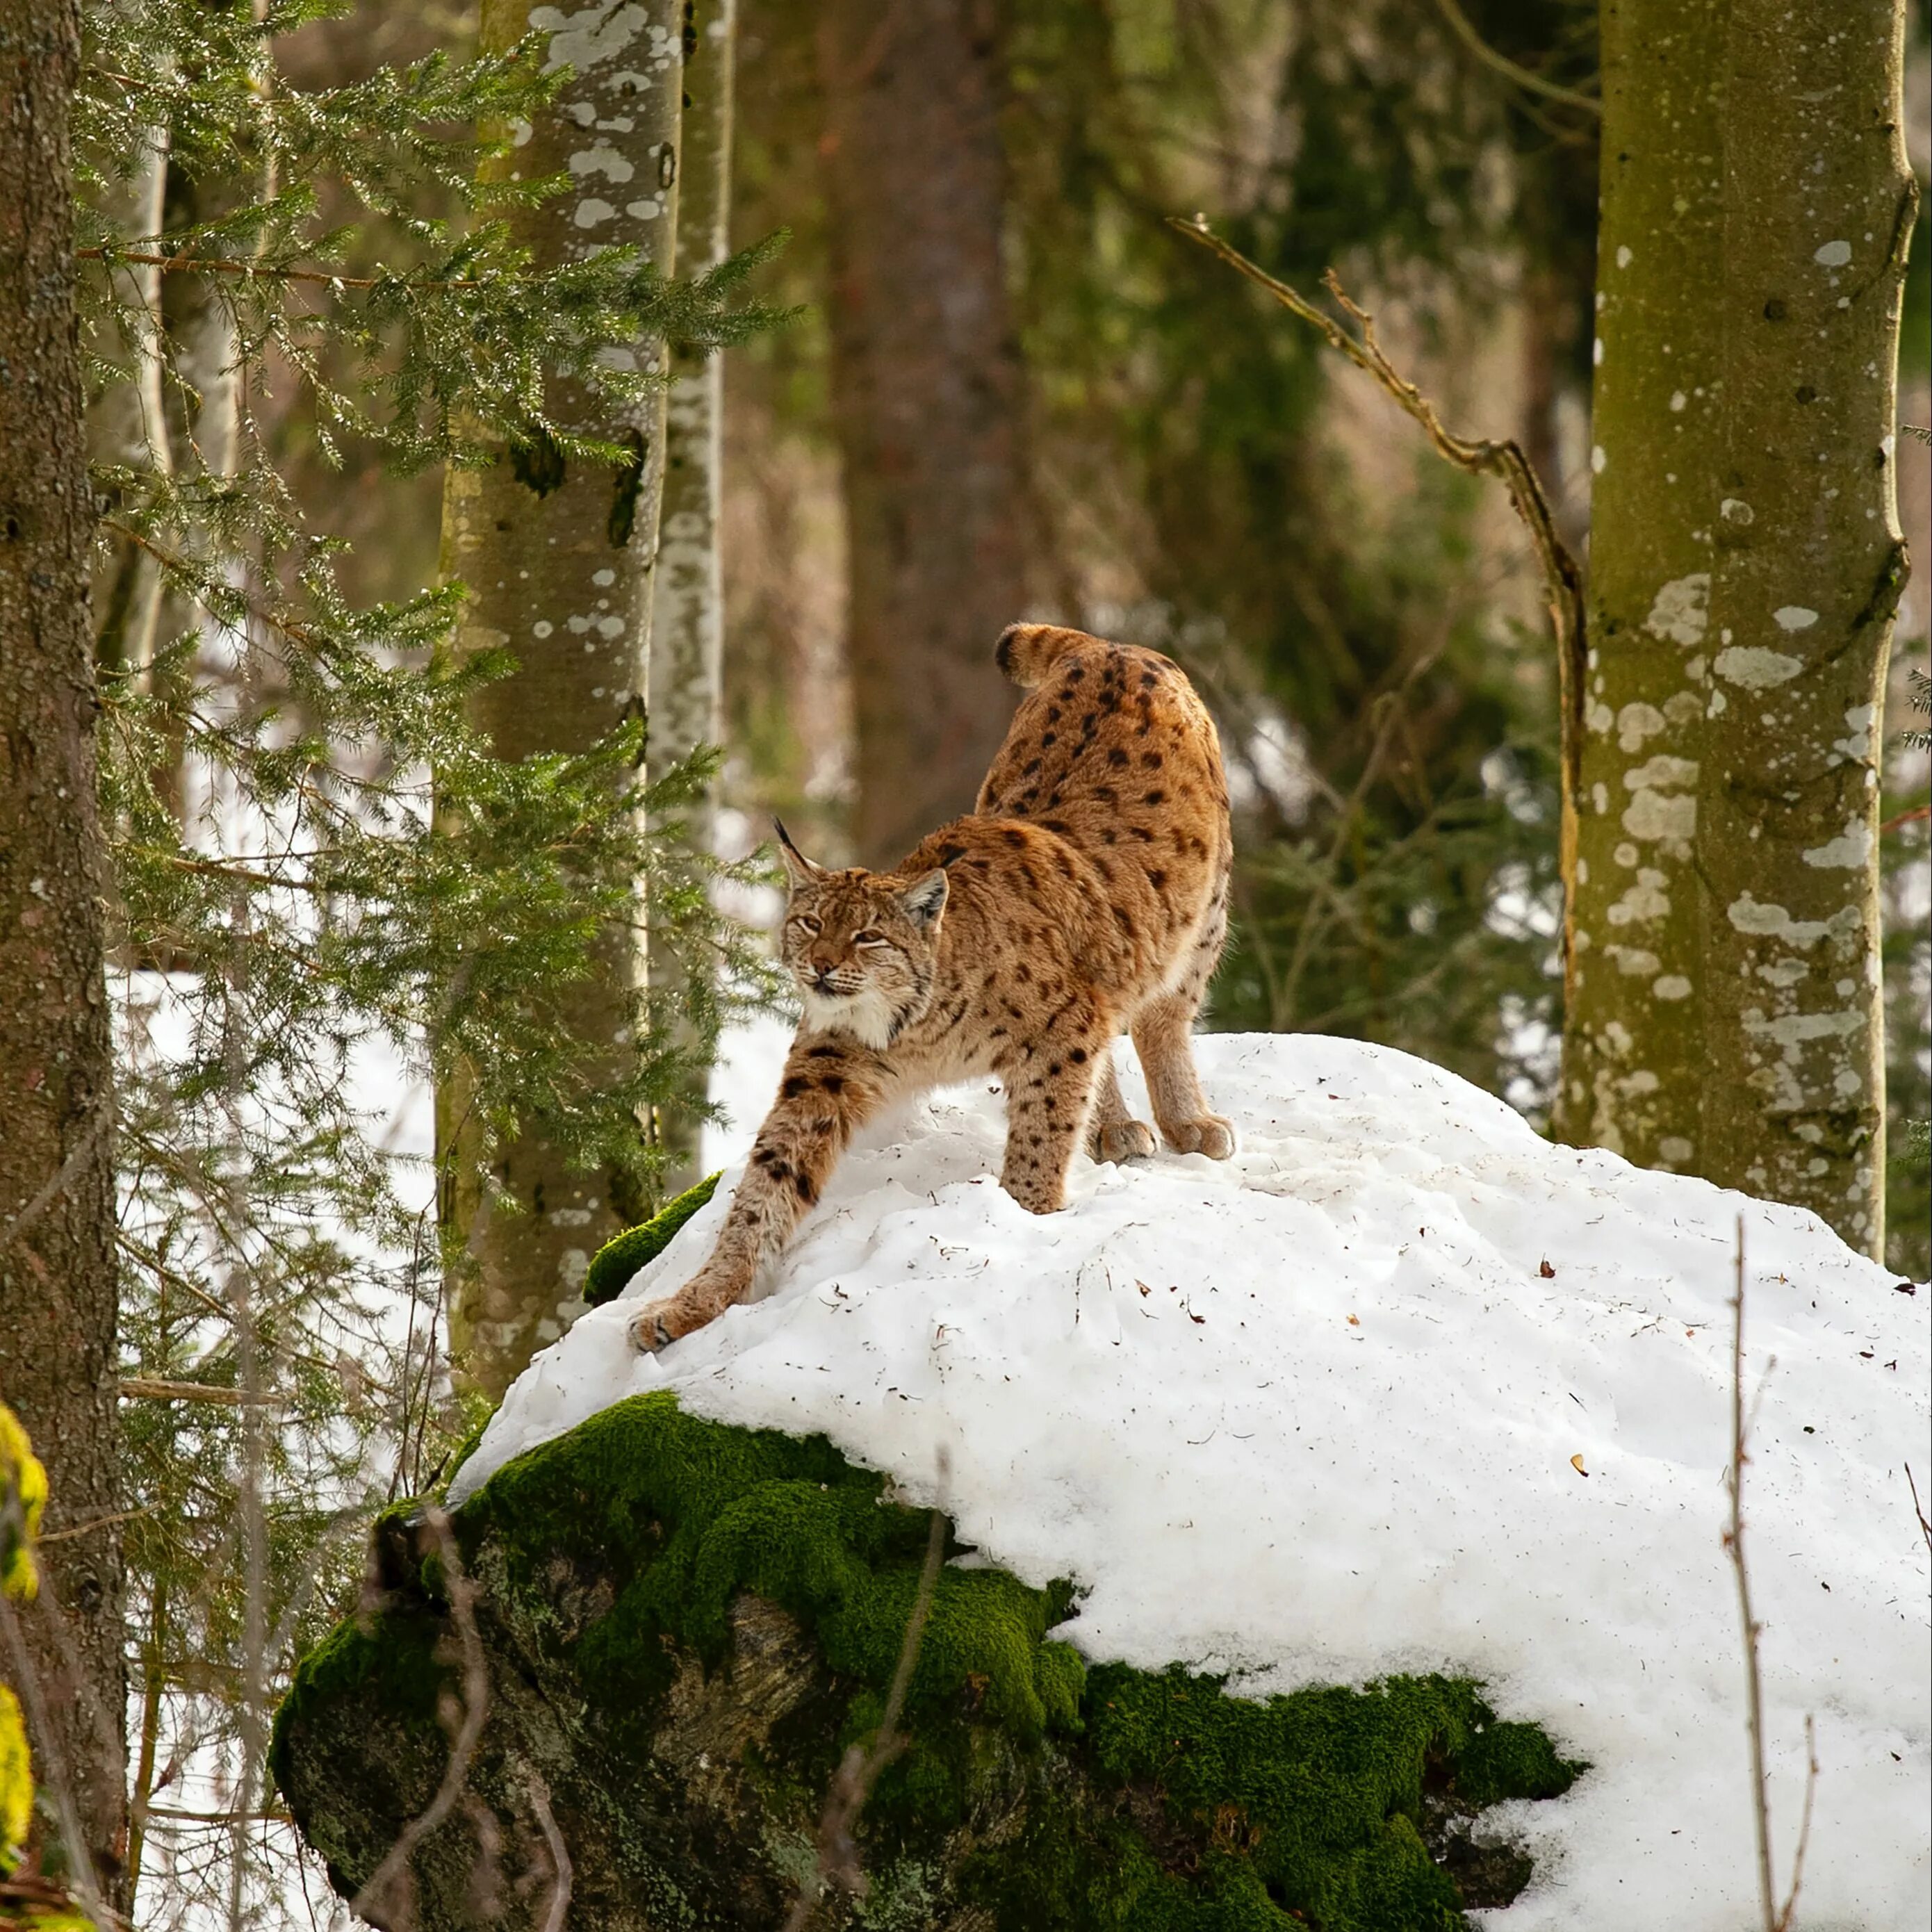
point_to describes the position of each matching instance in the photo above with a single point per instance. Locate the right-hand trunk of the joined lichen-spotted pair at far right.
(1805, 584)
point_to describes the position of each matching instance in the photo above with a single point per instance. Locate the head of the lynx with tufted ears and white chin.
(863, 946)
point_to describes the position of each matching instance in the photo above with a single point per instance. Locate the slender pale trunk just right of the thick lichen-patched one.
(689, 610)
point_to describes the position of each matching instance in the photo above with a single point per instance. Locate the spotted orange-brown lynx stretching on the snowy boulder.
(1087, 895)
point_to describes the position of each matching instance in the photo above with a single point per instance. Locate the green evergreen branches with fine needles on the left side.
(324, 882)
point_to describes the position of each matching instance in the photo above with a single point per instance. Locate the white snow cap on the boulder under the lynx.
(1311, 1417)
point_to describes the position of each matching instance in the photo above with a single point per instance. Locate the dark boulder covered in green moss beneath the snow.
(685, 1626)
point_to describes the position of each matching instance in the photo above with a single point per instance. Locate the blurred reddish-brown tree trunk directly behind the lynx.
(926, 380)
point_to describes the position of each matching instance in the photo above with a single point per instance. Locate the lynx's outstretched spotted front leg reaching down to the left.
(830, 1089)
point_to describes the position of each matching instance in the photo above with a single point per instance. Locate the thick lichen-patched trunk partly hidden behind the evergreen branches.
(559, 561)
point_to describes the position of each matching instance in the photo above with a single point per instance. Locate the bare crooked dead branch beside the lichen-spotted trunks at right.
(1504, 461)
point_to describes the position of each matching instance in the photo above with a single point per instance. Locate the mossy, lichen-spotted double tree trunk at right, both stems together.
(1746, 563)
